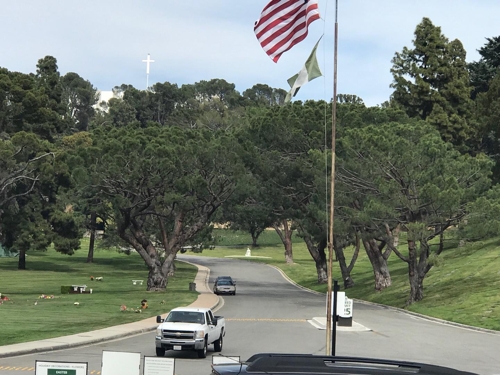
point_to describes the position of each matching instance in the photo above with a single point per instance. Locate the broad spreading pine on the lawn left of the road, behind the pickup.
(160, 186)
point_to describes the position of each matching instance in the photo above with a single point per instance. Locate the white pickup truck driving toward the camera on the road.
(187, 328)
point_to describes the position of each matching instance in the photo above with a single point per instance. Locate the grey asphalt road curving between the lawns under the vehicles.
(269, 314)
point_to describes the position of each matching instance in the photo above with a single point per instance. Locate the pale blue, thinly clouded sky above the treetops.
(105, 41)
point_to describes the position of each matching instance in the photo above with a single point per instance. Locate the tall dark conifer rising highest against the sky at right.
(431, 82)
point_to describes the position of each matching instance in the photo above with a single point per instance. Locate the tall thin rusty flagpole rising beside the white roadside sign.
(330, 333)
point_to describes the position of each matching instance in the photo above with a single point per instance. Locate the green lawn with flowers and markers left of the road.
(27, 317)
